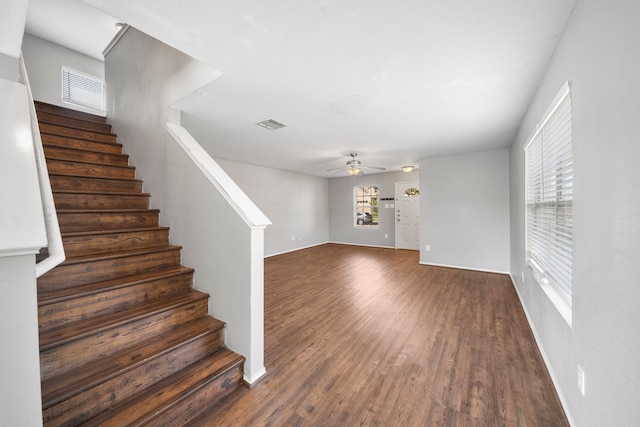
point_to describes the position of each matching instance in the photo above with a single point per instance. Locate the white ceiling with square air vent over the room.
(395, 81)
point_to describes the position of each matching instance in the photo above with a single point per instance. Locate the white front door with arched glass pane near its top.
(408, 215)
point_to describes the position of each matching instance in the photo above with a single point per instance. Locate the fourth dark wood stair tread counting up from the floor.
(52, 297)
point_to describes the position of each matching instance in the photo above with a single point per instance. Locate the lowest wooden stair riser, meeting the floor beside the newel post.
(200, 401)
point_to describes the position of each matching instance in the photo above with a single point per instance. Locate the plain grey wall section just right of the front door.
(464, 208)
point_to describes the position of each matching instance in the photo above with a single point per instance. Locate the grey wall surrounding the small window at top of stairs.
(44, 61)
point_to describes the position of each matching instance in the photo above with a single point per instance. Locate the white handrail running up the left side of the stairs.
(55, 248)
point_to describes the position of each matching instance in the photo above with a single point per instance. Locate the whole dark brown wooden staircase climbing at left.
(124, 337)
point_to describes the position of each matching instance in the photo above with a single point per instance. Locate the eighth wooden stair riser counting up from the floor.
(100, 201)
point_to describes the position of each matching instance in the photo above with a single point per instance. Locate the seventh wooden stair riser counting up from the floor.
(71, 222)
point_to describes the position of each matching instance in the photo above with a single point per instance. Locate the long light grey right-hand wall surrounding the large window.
(599, 53)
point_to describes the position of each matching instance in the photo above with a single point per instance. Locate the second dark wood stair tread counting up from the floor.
(55, 390)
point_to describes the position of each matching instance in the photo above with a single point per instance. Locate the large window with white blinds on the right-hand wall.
(549, 198)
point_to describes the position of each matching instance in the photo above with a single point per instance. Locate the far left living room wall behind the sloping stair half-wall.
(296, 204)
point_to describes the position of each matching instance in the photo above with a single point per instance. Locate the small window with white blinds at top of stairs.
(82, 89)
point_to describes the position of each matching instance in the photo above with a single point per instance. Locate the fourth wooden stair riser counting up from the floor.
(111, 301)
